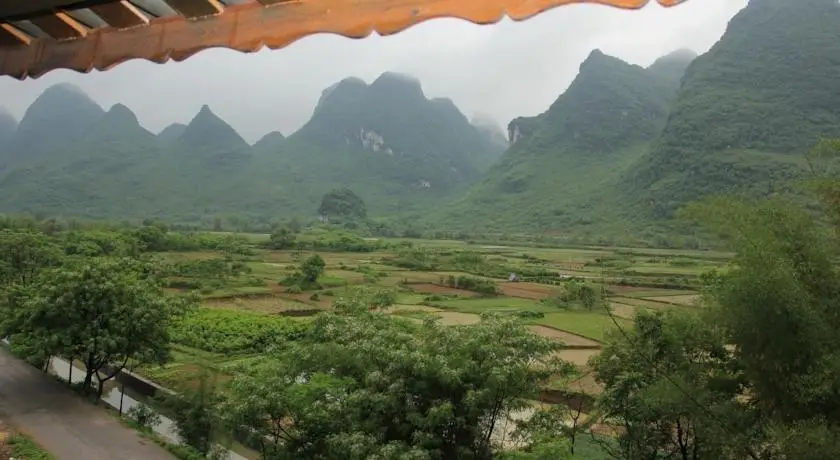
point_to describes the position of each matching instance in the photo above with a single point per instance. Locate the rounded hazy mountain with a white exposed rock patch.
(385, 141)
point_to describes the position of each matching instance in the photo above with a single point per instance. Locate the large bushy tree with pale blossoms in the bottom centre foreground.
(368, 386)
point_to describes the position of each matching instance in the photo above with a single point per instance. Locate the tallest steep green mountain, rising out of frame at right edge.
(748, 109)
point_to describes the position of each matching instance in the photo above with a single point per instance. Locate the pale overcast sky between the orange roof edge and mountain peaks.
(505, 70)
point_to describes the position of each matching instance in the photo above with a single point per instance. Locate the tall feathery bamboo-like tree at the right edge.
(779, 304)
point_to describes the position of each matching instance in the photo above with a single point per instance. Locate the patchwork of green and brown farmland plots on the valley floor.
(452, 282)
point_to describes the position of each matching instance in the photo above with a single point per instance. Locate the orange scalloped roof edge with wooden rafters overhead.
(246, 27)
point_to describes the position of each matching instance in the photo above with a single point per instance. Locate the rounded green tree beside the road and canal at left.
(102, 311)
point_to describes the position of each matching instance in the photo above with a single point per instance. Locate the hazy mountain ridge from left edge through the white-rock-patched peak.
(394, 146)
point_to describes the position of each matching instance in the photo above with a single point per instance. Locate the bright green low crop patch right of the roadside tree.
(233, 332)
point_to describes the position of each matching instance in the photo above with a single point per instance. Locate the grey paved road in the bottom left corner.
(67, 426)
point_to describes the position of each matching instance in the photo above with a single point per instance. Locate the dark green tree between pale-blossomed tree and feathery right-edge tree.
(672, 386)
